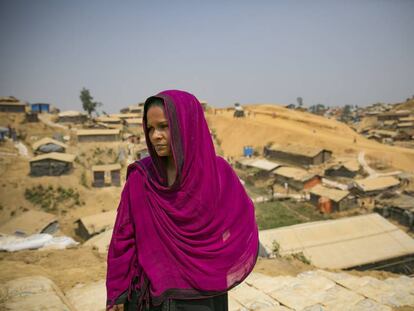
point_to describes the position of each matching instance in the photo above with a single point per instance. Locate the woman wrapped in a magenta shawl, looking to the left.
(185, 231)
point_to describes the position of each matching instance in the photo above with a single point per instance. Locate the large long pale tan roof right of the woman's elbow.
(341, 243)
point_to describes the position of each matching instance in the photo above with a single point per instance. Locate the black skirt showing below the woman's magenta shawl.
(216, 303)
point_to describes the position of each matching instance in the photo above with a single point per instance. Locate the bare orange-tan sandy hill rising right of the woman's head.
(267, 123)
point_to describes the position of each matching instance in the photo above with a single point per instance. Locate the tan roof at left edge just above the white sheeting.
(28, 223)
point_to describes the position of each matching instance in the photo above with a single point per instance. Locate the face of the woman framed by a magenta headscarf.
(158, 131)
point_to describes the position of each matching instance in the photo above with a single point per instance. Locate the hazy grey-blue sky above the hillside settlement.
(328, 52)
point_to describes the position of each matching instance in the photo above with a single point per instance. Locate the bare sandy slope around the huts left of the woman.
(16, 180)
